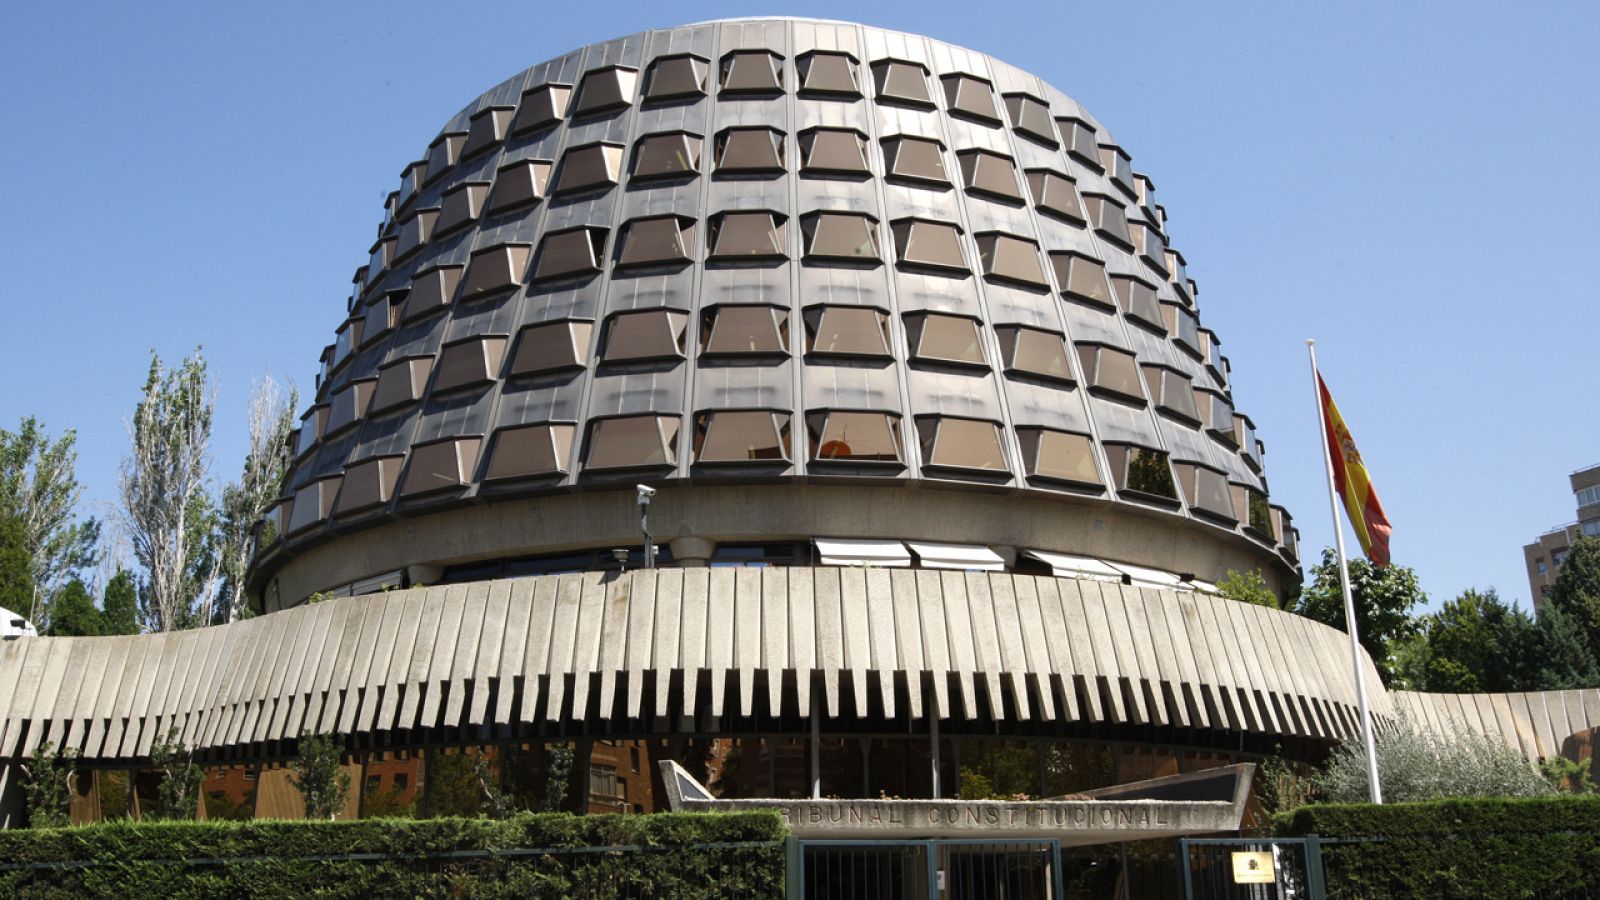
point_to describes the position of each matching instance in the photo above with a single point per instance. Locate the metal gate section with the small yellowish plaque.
(1242, 869)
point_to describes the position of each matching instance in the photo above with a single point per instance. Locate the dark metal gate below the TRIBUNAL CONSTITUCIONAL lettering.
(926, 870)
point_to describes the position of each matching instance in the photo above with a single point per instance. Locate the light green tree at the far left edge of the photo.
(41, 491)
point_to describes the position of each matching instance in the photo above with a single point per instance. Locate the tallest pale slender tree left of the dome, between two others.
(167, 512)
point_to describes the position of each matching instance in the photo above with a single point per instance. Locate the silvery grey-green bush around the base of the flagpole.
(1417, 766)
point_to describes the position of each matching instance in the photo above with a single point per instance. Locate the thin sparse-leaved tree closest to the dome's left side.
(247, 500)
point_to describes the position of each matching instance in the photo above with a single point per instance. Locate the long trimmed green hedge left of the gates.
(670, 856)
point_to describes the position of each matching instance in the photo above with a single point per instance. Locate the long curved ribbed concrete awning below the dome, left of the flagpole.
(662, 651)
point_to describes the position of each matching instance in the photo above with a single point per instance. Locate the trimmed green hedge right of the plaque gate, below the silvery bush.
(1458, 848)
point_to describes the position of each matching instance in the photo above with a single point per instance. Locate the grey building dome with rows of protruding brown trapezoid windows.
(814, 281)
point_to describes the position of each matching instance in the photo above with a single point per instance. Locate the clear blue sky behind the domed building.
(1415, 185)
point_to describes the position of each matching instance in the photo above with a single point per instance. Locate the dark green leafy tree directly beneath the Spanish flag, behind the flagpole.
(1383, 605)
